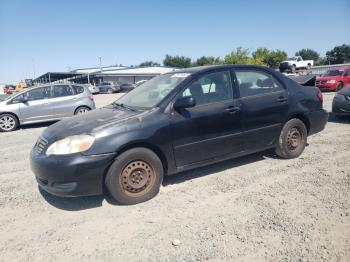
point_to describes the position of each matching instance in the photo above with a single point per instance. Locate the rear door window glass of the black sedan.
(251, 82)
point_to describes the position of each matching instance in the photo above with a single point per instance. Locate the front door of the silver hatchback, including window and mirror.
(39, 105)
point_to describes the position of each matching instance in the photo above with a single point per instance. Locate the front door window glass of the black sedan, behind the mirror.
(213, 87)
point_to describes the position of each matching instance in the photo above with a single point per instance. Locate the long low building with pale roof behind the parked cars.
(118, 74)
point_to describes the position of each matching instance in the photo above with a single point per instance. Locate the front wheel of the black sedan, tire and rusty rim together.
(125, 179)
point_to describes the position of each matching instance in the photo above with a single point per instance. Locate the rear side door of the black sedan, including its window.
(264, 104)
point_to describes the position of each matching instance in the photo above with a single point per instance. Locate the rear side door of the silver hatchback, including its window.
(63, 100)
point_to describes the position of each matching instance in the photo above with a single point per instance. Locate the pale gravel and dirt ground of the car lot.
(255, 208)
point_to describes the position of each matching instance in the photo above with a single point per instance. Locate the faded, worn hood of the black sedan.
(97, 122)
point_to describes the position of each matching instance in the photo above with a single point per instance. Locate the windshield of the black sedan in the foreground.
(152, 92)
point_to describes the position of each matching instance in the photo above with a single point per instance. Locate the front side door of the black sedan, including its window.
(211, 128)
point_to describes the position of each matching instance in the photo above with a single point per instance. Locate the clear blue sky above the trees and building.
(38, 36)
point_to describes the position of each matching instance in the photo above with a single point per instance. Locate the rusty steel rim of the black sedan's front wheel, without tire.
(137, 178)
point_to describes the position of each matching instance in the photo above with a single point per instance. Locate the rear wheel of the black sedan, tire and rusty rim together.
(292, 139)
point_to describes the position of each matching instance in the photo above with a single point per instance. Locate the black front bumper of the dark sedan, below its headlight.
(73, 175)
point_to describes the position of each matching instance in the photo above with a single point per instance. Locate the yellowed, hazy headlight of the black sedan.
(71, 145)
